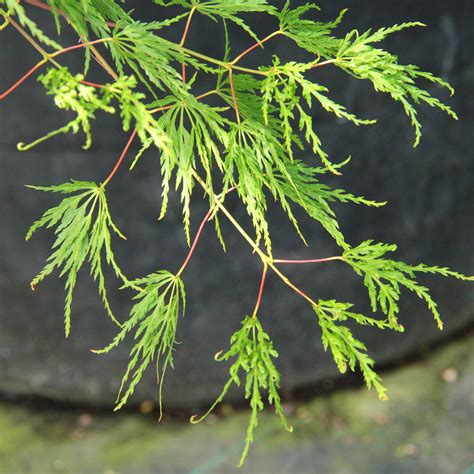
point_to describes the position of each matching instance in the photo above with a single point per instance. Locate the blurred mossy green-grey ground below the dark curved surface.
(424, 428)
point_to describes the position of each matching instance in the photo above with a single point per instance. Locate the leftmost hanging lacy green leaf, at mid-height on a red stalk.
(82, 225)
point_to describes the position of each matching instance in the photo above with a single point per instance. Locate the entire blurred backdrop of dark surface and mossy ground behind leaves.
(57, 396)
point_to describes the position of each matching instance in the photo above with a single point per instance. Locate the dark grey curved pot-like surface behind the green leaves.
(429, 216)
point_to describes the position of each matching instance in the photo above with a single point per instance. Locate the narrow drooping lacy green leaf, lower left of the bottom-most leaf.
(154, 317)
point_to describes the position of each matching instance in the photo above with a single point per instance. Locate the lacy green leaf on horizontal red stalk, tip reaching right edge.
(384, 278)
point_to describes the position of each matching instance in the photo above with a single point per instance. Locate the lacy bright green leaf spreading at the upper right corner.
(358, 57)
